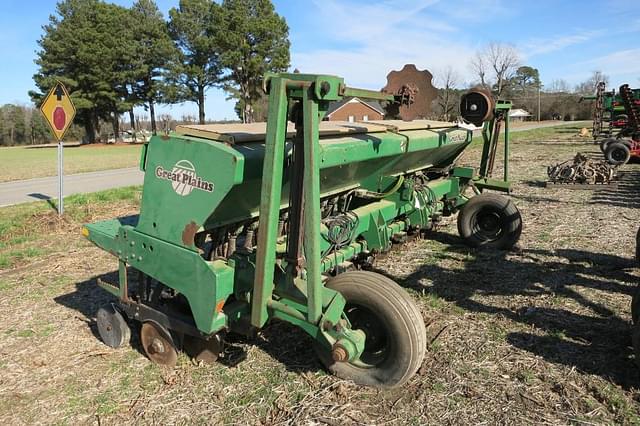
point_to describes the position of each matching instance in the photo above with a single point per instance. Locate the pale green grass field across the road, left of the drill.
(18, 163)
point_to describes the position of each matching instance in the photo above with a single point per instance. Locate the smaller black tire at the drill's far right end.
(502, 214)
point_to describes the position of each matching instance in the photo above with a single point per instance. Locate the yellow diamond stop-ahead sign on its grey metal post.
(59, 111)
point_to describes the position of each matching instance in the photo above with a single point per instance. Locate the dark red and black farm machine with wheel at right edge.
(618, 148)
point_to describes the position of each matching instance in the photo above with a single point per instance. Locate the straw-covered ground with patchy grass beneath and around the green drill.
(538, 335)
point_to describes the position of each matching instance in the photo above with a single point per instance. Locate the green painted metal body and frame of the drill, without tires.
(394, 182)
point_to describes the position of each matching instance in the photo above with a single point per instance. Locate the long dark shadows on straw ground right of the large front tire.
(597, 343)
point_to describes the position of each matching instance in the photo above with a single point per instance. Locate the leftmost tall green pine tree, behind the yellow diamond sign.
(86, 47)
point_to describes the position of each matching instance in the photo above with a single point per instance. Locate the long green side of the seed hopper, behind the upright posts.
(346, 162)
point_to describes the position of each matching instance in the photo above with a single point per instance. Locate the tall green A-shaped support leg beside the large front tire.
(322, 313)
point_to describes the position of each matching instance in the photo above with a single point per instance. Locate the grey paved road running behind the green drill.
(22, 191)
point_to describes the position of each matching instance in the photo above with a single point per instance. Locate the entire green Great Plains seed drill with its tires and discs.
(242, 224)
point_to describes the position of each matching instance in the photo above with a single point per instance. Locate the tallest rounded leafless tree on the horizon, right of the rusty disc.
(501, 59)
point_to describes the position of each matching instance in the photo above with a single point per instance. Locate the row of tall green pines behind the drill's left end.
(113, 59)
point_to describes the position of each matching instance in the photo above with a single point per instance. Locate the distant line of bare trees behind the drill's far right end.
(497, 67)
